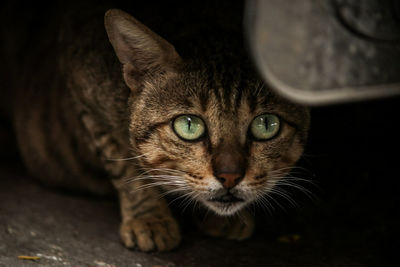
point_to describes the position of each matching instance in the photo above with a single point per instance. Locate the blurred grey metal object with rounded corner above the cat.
(320, 52)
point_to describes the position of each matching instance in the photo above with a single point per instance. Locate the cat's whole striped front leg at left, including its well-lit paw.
(147, 222)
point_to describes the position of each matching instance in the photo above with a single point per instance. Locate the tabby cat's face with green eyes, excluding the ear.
(224, 147)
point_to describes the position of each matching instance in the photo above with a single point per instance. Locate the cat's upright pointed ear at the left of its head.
(140, 50)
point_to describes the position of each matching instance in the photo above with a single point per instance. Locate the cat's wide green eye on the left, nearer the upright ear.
(189, 127)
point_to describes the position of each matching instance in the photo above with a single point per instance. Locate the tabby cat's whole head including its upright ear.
(204, 126)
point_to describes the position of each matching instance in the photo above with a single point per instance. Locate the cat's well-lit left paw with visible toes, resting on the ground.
(151, 233)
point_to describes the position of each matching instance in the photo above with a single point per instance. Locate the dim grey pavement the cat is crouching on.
(70, 230)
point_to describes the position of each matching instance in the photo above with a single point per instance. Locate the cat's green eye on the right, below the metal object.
(265, 126)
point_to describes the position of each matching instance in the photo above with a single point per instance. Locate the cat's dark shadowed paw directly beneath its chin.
(239, 227)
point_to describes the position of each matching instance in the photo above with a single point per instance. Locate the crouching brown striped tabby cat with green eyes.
(133, 114)
